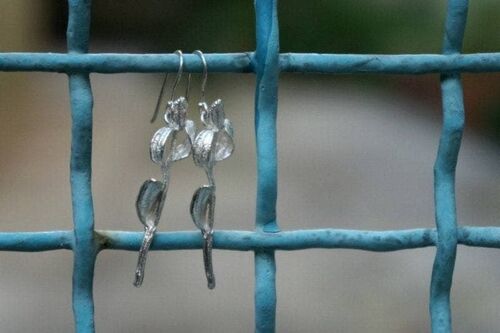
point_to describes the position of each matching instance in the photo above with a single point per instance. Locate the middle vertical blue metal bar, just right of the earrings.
(266, 107)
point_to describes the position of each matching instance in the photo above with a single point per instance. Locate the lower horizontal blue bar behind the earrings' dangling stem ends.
(391, 240)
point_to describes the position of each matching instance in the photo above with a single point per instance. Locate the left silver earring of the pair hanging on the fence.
(166, 147)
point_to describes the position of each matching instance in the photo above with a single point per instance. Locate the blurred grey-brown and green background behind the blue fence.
(354, 151)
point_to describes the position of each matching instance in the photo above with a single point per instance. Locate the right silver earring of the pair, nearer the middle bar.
(212, 144)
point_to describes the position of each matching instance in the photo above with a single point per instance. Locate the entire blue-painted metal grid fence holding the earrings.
(267, 63)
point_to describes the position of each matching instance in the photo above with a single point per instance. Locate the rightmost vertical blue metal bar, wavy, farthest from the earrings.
(444, 173)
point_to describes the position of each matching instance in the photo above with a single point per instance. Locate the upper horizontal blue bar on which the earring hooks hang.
(109, 63)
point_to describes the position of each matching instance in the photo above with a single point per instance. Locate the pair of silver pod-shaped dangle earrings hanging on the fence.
(174, 142)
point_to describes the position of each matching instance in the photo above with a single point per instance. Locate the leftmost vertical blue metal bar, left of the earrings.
(81, 100)
